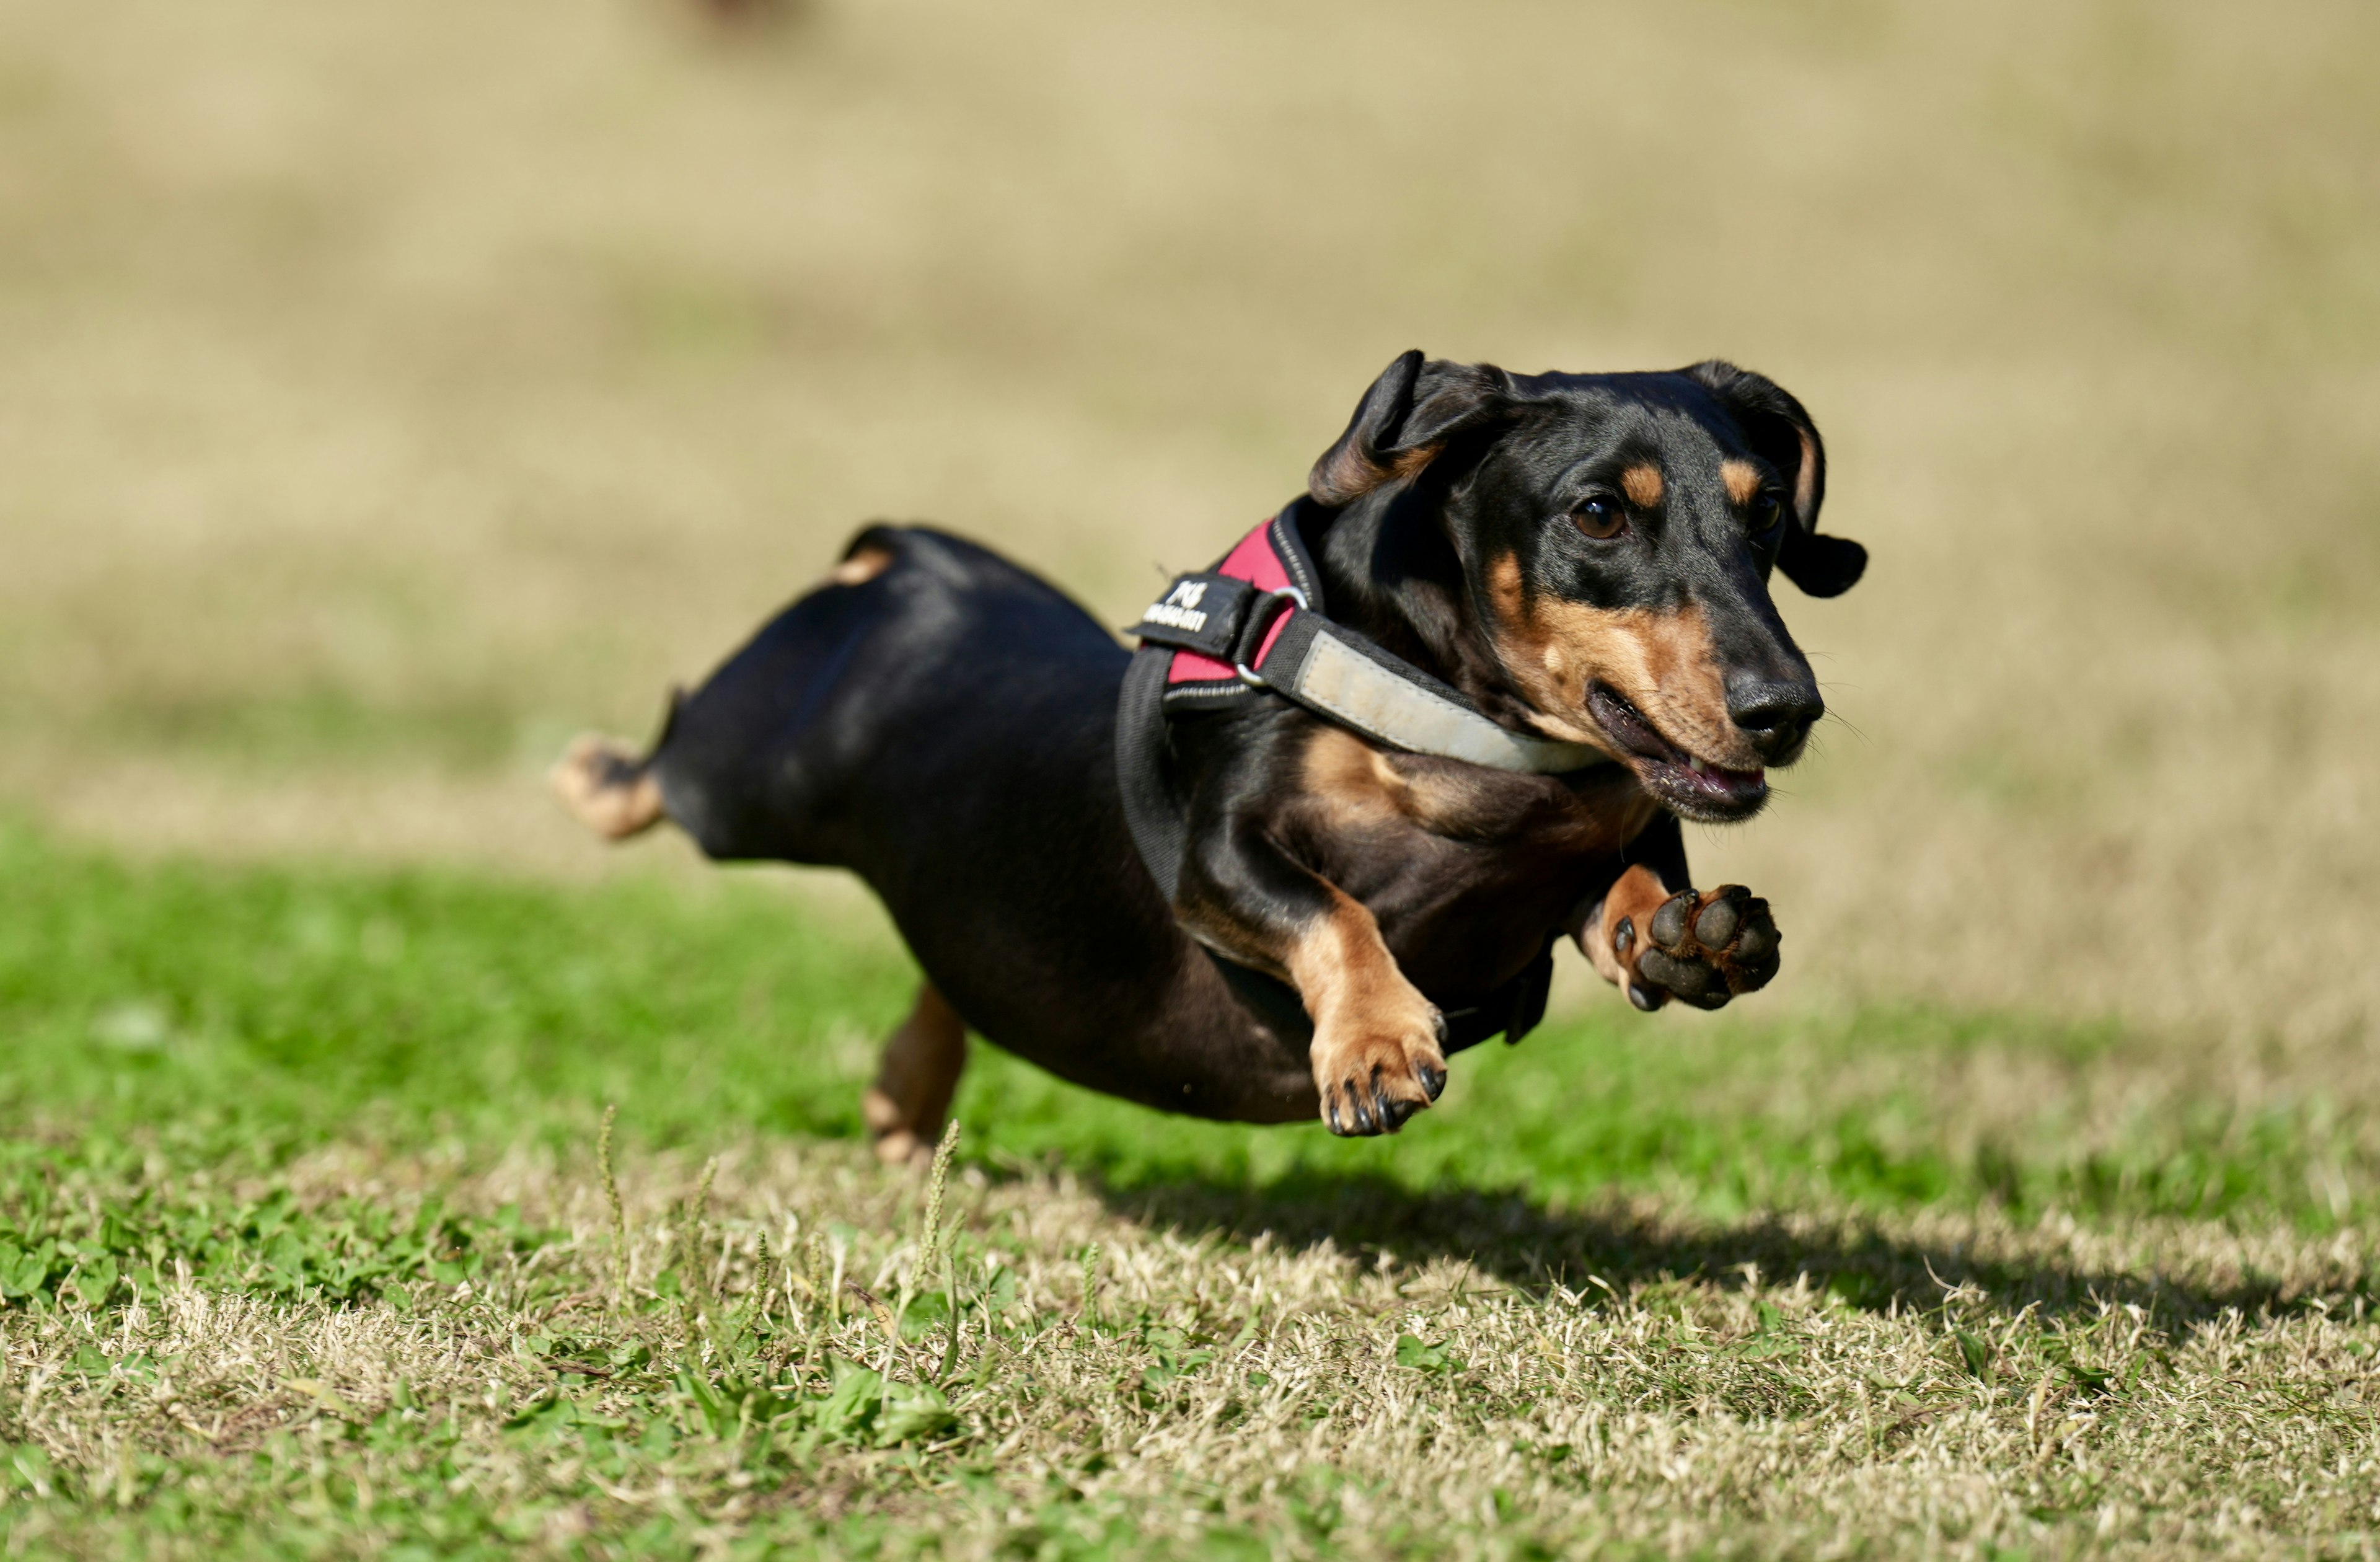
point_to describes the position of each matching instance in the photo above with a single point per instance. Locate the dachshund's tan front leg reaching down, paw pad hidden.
(1379, 1044)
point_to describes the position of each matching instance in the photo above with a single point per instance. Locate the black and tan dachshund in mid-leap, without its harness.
(1579, 558)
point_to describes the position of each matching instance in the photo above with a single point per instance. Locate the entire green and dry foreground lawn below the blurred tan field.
(303, 1251)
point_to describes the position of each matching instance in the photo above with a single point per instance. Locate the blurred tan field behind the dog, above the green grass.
(396, 389)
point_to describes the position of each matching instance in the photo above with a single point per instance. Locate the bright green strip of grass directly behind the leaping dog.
(256, 1011)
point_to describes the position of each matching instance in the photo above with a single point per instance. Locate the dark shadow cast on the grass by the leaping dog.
(1534, 1249)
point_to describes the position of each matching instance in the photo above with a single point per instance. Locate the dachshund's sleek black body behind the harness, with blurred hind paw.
(944, 725)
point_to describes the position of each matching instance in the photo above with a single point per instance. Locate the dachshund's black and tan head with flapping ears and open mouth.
(1617, 535)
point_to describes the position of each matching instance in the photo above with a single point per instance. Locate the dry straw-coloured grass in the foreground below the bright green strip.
(1624, 1401)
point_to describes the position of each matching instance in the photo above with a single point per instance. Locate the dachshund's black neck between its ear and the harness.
(1391, 575)
